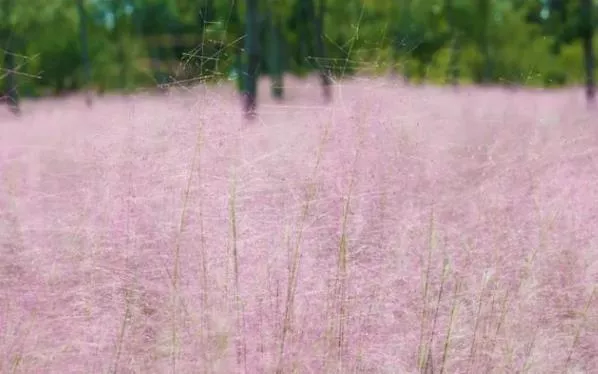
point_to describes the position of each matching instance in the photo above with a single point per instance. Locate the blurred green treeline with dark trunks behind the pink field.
(57, 46)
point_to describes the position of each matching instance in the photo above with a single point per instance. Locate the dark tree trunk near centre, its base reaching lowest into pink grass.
(253, 58)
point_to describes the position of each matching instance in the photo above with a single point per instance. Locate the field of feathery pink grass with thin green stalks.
(396, 230)
